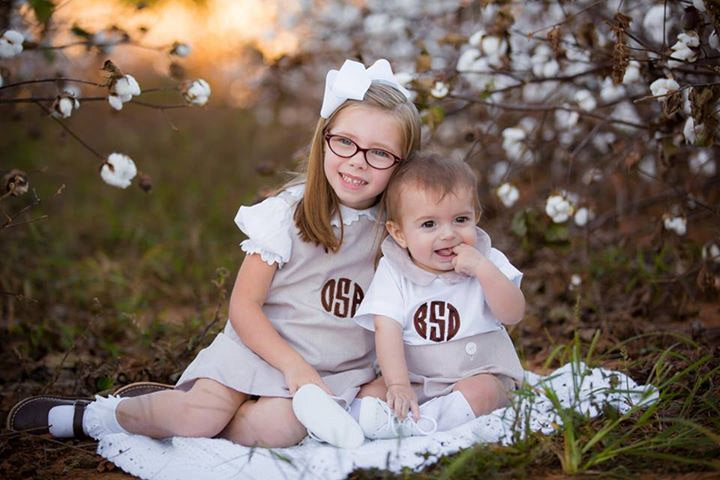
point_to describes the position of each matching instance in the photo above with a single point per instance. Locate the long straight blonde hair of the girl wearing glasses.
(319, 202)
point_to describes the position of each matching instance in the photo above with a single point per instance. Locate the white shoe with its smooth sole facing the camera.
(325, 419)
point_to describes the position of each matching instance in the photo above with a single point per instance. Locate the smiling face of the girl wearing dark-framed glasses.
(356, 183)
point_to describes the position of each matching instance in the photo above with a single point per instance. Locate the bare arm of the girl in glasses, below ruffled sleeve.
(255, 330)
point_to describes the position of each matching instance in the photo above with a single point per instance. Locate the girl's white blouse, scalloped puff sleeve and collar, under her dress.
(269, 224)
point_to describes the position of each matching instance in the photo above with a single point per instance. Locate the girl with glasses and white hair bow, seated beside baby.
(308, 262)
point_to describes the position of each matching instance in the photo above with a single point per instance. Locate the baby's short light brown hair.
(430, 172)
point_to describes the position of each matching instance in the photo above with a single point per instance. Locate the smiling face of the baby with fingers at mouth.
(430, 226)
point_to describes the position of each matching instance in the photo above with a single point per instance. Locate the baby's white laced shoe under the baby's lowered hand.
(377, 421)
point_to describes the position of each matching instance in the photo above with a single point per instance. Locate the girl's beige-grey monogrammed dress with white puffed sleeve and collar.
(311, 301)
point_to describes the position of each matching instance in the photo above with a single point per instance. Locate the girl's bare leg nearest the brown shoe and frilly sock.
(203, 411)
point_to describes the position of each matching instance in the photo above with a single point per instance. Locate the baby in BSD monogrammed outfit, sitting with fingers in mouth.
(438, 305)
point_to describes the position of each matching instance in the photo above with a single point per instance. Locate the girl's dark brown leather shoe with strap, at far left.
(31, 414)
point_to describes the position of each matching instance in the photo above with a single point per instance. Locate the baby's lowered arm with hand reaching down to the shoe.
(391, 357)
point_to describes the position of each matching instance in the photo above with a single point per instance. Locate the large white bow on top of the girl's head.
(352, 81)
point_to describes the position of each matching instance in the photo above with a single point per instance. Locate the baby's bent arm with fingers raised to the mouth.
(506, 300)
